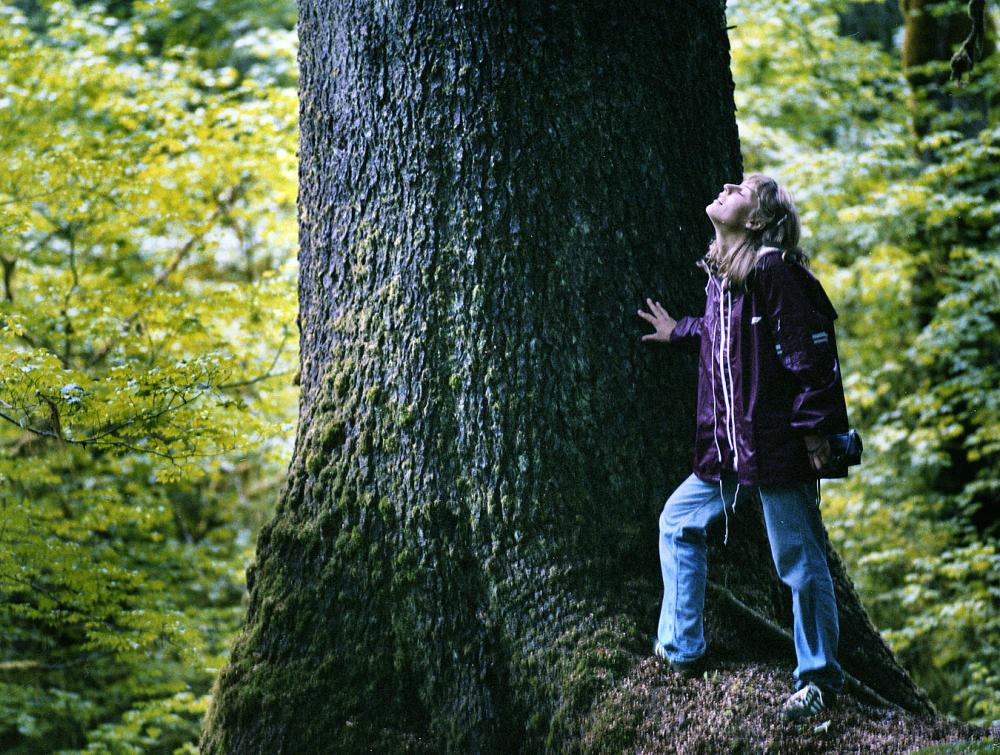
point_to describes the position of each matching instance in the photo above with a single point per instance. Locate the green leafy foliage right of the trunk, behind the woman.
(903, 231)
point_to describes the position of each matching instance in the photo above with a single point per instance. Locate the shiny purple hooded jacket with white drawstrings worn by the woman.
(768, 374)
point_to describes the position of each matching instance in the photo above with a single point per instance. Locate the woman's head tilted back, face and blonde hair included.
(760, 213)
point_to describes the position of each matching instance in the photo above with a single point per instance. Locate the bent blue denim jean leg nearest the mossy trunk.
(684, 565)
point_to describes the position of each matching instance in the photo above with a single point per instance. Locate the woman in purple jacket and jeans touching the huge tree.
(769, 394)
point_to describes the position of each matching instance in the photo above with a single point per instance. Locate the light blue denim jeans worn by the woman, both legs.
(798, 547)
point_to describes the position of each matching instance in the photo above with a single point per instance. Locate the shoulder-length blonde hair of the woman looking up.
(779, 227)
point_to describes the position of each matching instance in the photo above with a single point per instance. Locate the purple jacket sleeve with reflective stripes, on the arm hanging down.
(801, 318)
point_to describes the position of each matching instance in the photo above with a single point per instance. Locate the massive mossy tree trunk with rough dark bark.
(464, 554)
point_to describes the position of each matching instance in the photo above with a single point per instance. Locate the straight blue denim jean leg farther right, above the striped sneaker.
(798, 546)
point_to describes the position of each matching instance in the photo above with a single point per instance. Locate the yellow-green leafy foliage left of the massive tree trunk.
(146, 355)
